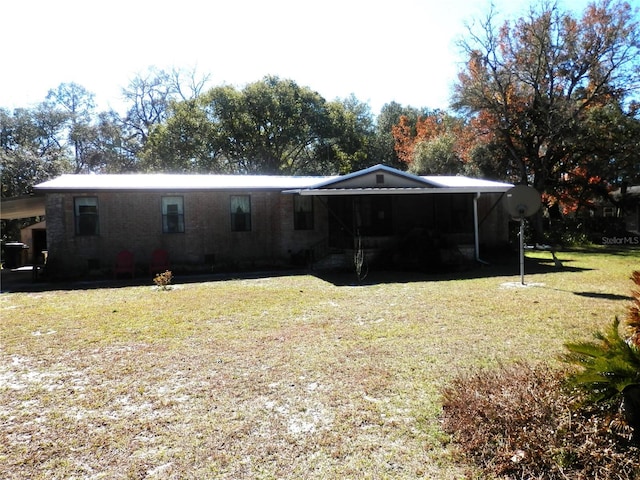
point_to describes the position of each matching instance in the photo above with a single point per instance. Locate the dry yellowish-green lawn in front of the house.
(278, 377)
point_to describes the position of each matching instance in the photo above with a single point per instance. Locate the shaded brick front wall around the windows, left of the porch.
(133, 221)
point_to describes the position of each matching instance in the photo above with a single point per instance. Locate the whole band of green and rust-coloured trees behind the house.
(548, 99)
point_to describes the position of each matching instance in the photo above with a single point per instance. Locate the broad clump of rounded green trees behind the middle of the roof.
(272, 126)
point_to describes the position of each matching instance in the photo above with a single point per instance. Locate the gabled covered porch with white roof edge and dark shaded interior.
(385, 209)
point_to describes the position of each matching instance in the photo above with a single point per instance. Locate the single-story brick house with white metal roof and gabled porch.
(211, 222)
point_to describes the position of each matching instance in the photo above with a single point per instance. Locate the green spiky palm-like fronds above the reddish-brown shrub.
(608, 365)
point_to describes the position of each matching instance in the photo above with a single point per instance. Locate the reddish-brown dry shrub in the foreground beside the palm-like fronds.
(519, 422)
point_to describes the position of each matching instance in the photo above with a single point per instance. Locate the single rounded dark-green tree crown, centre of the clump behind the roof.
(271, 126)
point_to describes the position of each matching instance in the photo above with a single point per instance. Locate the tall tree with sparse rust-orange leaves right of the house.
(532, 85)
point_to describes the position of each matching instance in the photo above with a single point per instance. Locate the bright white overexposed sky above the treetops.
(380, 51)
